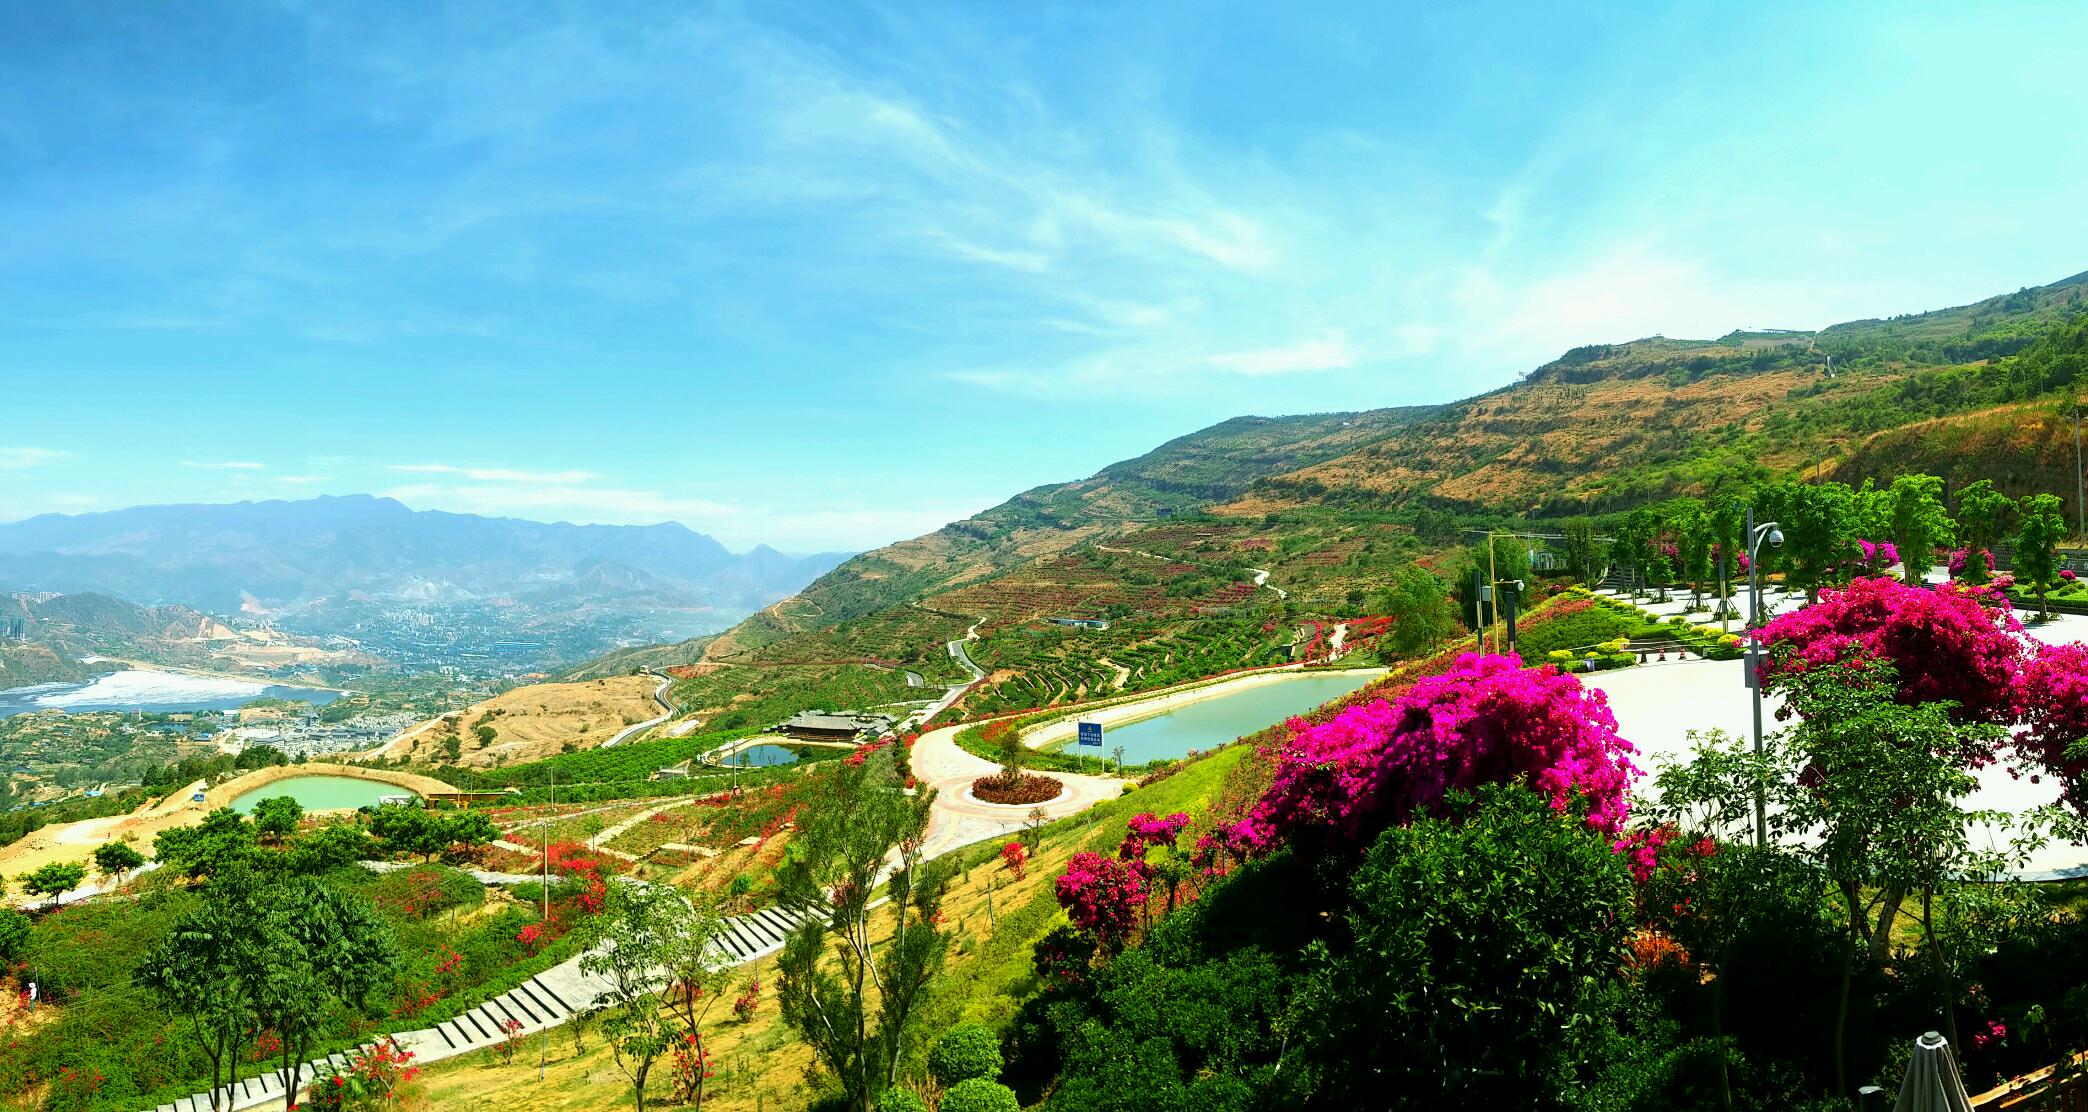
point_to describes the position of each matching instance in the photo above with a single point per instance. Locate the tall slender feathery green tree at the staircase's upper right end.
(836, 863)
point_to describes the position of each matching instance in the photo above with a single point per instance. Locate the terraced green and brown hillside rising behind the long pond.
(1166, 548)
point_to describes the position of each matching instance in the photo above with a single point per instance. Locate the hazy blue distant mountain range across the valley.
(329, 564)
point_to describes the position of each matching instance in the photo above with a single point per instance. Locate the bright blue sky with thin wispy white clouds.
(826, 276)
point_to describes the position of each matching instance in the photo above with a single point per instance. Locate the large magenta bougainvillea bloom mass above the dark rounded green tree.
(1488, 721)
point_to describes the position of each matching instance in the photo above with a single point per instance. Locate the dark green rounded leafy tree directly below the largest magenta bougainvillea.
(1481, 963)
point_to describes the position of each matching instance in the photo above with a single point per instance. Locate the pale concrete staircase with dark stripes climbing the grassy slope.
(542, 1002)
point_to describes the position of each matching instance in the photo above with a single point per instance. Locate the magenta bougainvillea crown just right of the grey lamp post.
(1953, 644)
